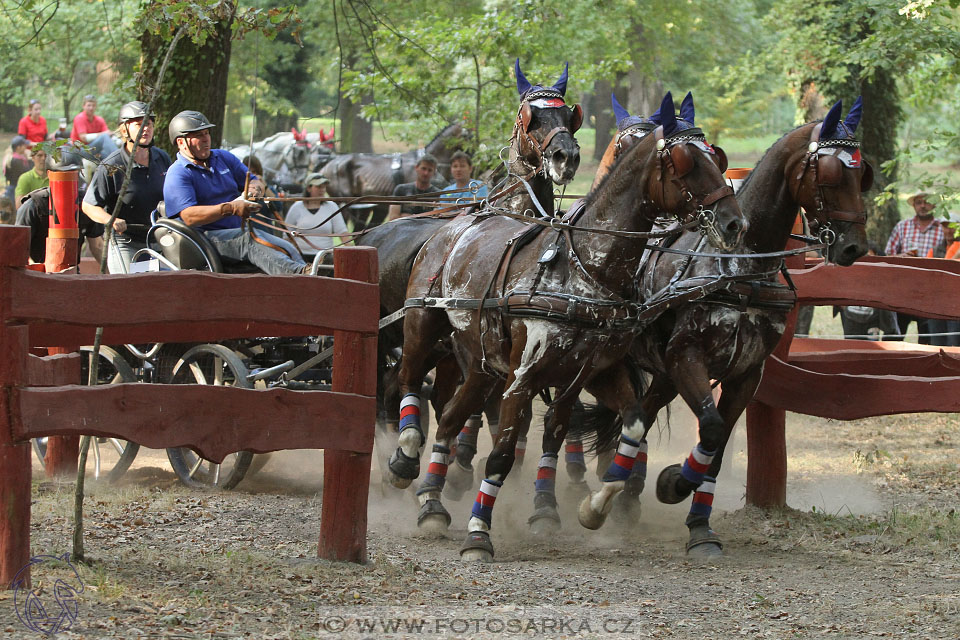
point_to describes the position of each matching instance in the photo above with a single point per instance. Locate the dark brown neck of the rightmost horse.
(767, 204)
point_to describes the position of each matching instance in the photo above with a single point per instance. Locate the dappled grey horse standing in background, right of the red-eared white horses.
(372, 174)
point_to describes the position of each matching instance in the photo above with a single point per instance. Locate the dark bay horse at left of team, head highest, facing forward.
(543, 139)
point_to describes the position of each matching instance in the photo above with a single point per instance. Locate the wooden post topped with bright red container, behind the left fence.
(61, 254)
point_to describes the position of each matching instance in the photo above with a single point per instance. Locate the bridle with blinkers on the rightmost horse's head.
(823, 162)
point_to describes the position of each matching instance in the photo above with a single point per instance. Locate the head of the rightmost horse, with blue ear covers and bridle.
(827, 178)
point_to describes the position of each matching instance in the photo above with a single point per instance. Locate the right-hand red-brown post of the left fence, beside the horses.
(346, 475)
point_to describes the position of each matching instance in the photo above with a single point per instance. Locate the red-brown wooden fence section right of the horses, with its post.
(850, 379)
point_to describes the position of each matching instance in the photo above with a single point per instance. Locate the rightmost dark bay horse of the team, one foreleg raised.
(728, 336)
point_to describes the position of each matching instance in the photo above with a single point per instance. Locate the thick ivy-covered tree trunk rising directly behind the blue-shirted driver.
(196, 80)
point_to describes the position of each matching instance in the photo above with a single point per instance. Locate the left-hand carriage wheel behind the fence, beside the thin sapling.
(111, 456)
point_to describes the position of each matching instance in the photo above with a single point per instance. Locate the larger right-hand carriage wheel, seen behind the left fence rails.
(217, 365)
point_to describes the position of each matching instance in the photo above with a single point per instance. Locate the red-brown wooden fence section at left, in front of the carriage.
(41, 310)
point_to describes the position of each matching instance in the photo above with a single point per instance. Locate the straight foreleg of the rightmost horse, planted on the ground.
(737, 393)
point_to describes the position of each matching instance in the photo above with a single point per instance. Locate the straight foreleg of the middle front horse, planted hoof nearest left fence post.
(515, 413)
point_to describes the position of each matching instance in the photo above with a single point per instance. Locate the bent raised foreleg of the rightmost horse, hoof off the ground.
(689, 372)
